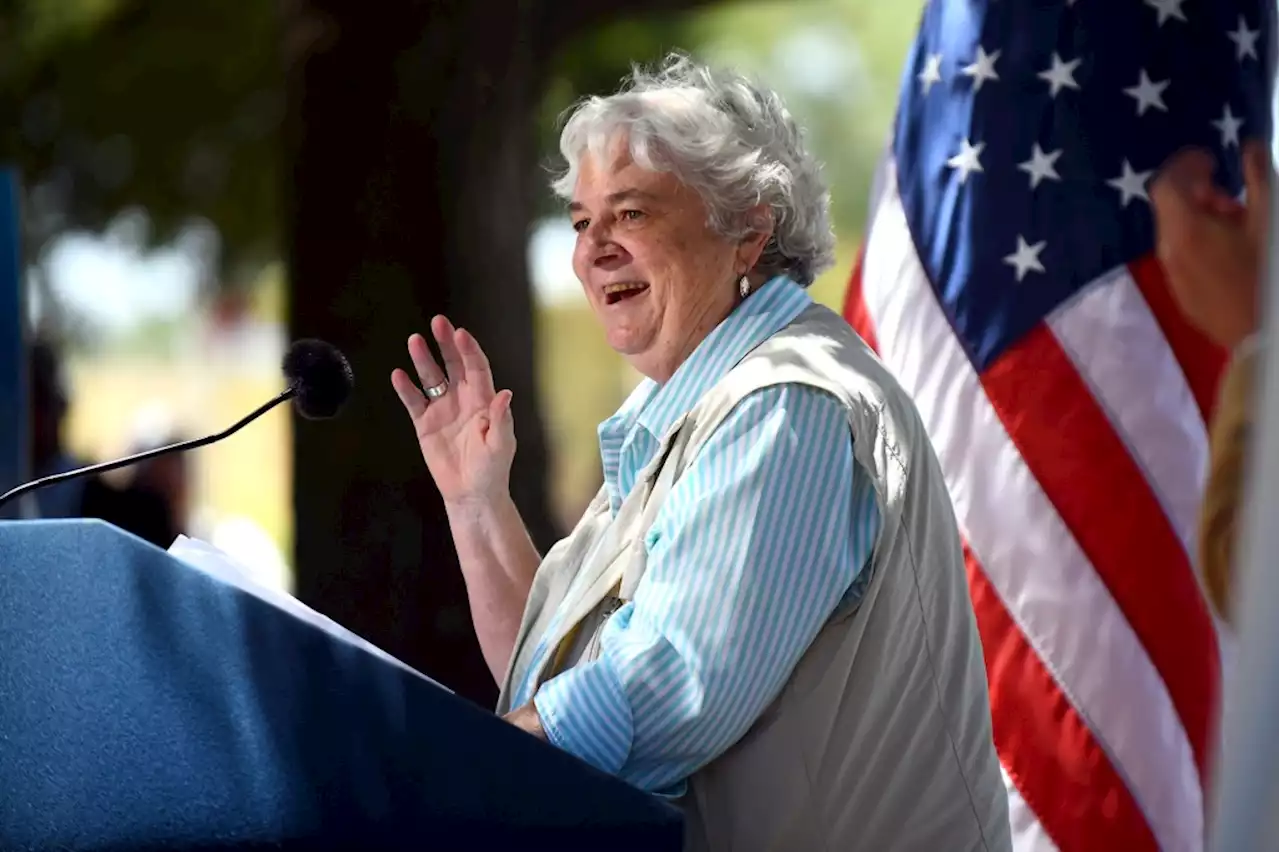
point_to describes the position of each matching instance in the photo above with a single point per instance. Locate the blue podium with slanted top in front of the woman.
(149, 706)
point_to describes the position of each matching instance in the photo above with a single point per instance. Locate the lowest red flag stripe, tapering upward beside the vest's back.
(1044, 744)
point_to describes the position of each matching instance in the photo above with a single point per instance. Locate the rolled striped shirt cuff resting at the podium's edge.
(586, 713)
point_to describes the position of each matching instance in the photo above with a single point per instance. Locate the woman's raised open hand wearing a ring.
(467, 434)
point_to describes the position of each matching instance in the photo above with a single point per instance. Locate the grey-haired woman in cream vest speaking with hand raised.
(764, 613)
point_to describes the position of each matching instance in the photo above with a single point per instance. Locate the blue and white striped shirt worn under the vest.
(766, 533)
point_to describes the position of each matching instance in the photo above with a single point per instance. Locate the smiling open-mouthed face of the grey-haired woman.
(656, 274)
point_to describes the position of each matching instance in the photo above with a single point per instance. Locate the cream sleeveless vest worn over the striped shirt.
(881, 740)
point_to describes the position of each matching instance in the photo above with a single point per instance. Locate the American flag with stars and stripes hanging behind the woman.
(1009, 282)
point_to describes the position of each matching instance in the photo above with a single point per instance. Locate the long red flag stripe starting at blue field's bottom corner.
(1105, 501)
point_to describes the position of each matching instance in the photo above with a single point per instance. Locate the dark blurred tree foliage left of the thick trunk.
(172, 108)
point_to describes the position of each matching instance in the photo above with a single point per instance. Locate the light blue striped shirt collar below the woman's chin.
(764, 314)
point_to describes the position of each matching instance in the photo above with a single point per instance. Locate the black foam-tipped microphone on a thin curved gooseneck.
(319, 383)
